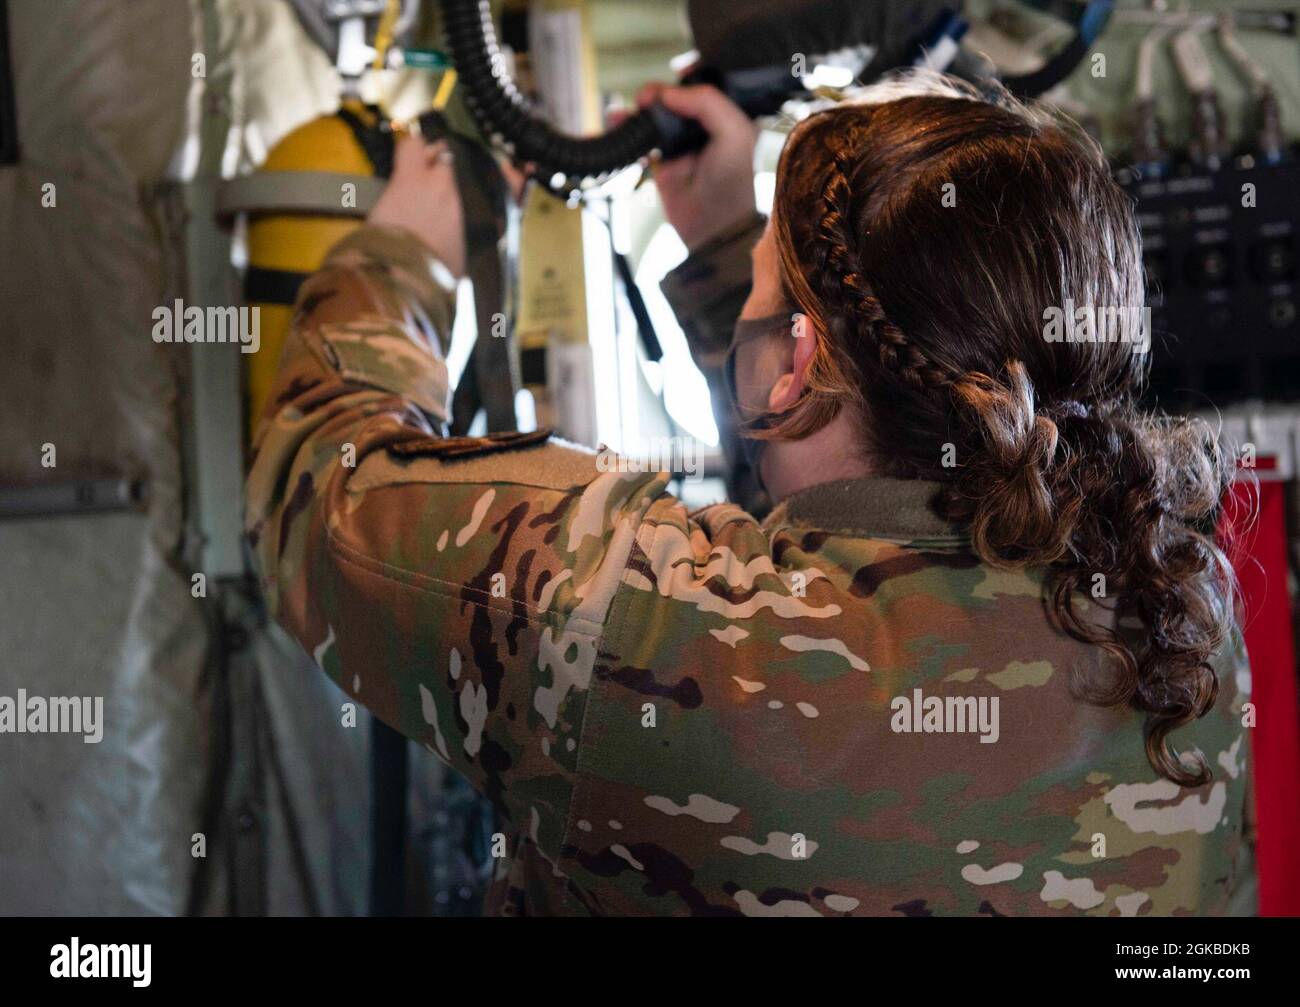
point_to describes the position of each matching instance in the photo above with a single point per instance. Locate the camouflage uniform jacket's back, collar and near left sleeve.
(696, 713)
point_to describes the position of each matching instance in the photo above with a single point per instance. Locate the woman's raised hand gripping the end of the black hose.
(710, 190)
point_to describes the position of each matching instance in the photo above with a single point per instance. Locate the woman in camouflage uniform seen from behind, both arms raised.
(980, 658)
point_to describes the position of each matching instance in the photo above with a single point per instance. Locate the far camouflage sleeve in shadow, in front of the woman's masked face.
(707, 293)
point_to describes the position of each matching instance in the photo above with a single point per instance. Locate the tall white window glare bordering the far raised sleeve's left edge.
(687, 392)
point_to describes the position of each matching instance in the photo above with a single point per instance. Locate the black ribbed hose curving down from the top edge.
(500, 108)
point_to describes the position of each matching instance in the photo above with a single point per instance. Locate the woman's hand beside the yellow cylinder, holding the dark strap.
(422, 197)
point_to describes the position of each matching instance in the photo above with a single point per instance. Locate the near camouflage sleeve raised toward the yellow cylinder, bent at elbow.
(457, 588)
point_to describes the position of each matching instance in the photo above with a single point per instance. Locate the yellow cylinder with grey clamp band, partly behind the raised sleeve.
(315, 188)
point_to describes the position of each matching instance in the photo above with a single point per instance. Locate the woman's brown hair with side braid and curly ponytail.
(931, 300)
